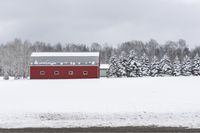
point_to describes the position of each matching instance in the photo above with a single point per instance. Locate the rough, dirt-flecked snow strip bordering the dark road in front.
(71, 120)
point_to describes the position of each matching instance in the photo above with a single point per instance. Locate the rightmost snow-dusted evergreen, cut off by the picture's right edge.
(196, 65)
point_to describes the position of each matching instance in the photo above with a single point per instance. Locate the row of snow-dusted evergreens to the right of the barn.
(134, 66)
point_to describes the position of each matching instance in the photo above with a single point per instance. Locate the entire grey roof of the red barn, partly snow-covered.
(65, 59)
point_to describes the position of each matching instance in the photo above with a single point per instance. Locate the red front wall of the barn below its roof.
(35, 72)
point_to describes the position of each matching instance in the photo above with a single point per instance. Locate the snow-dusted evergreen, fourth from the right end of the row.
(165, 66)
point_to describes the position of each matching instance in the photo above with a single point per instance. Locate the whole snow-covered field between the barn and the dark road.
(168, 101)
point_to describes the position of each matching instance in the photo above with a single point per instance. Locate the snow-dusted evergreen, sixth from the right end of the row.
(145, 65)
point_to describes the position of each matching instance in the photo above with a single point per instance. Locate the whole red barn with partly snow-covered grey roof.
(53, 65)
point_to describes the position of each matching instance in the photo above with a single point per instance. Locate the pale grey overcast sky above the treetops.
(103, 21)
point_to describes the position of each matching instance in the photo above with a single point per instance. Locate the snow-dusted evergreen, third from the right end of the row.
(176, 67)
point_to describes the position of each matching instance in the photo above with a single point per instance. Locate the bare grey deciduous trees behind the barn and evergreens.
(15, 55)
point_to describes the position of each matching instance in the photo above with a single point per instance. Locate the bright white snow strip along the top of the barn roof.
(56, 54)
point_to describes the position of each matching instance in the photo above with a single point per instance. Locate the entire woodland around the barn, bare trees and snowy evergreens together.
(128, 59)
